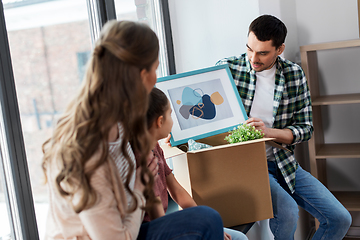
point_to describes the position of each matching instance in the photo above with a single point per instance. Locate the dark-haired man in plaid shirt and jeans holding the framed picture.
(276, 98)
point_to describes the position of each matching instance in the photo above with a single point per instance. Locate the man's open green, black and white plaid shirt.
(291, 108)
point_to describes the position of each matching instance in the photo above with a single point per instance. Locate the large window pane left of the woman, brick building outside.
(49, 45)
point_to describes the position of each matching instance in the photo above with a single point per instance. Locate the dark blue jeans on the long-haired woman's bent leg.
(191, 223)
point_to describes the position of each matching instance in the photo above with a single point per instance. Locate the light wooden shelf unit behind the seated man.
(319, 151)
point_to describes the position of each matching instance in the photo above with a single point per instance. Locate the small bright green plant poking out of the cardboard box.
(243, 133)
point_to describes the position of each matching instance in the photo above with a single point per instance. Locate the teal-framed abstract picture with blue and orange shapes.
(204, 102)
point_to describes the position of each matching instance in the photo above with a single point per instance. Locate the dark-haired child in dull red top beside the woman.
(160, 123)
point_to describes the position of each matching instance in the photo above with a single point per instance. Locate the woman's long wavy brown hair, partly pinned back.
(112, 92)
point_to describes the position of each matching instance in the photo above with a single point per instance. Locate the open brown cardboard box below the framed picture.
(231, 178)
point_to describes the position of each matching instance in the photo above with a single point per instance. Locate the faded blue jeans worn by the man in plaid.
(311, 195)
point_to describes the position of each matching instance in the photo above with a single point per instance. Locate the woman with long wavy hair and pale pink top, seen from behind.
(96, 191)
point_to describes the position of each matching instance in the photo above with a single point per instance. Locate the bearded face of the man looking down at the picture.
(262, 55)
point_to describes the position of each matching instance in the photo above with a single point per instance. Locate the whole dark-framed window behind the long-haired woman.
(49, 44)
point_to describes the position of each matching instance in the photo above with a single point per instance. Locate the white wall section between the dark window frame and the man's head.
(205, 31)
